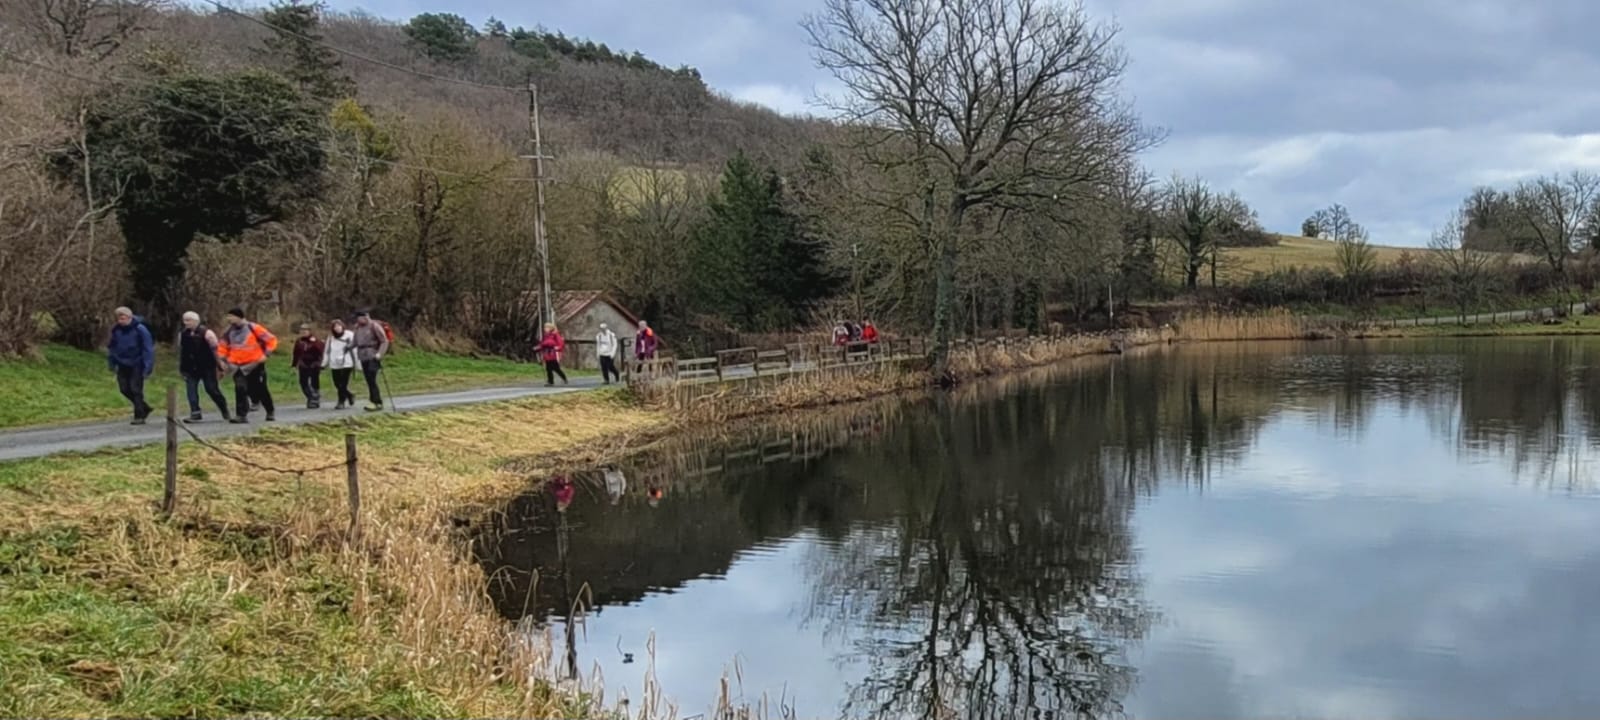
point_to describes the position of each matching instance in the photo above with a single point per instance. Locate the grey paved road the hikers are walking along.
(292, 412)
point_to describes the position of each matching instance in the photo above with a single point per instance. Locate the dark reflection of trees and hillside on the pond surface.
(975, 548)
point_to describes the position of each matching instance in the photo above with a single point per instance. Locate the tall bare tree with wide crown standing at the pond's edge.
(993, 103)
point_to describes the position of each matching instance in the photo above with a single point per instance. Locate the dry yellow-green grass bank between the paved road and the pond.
(249, 601)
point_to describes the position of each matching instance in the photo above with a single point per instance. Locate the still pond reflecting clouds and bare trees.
(1375, 530)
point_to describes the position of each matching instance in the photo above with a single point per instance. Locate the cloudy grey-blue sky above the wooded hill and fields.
(1391, 108)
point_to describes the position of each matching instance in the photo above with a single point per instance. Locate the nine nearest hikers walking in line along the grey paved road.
(241, 350)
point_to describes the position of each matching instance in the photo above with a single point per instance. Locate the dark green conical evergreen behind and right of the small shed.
(753, 265)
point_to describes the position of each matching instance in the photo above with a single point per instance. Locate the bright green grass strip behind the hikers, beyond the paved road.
(68, 385)
